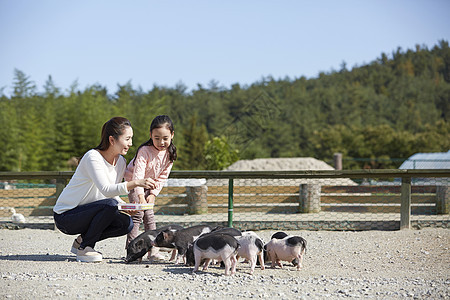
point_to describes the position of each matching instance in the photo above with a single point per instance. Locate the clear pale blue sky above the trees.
(110, 42)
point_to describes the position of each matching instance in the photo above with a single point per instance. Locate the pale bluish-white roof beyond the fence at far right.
(436, 160)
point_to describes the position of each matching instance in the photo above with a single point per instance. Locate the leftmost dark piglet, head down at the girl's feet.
(142, 244)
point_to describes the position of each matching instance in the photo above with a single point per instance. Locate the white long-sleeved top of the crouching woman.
(94, 179)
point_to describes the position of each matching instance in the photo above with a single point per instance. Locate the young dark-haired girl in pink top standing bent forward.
(154, 159)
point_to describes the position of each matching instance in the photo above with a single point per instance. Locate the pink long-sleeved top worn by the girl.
(149, 163)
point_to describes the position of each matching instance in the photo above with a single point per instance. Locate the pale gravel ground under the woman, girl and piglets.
(371, 264)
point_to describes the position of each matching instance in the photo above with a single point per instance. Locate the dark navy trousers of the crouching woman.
(95, 221)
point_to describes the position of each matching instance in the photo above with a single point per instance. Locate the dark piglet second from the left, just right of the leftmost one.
(180, 239)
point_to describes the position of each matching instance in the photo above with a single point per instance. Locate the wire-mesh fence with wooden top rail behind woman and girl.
(278, 196)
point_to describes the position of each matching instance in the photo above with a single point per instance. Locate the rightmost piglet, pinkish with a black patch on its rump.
(286, 249)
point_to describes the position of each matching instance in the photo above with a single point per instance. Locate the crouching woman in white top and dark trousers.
(88, 204)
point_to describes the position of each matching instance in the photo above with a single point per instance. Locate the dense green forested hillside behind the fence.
(390, 108)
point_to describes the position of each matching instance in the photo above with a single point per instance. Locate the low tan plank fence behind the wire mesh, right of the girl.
(291, 199)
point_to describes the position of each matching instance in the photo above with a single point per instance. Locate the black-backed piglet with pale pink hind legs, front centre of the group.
(218, 246)
